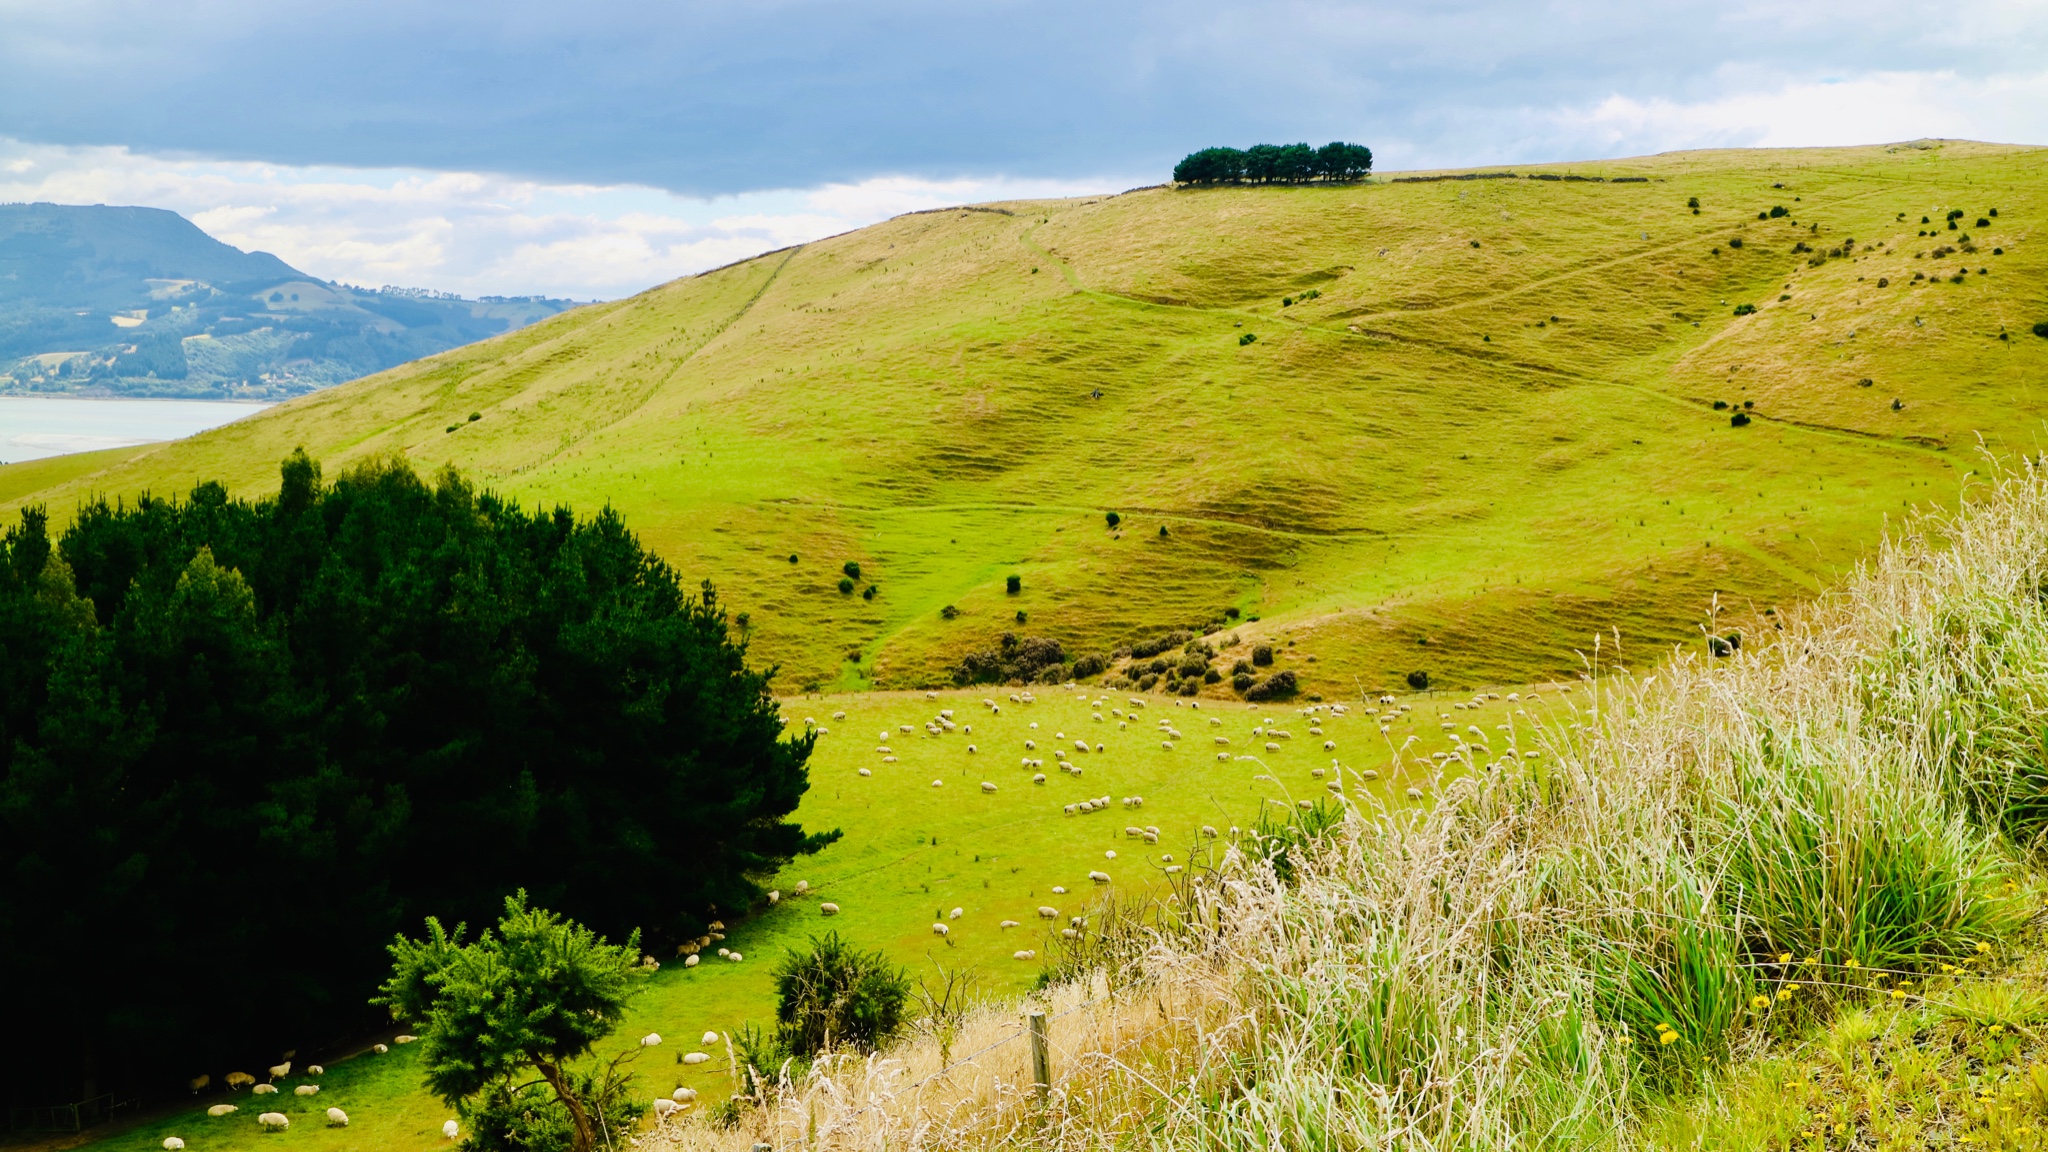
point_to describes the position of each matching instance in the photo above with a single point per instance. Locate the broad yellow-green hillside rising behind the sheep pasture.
(1445, 423)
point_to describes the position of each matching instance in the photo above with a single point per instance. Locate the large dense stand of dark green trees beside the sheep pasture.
(247, 743)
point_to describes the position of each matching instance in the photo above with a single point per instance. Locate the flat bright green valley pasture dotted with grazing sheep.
(914, 852)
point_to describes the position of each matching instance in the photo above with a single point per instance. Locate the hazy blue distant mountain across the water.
(140, 302)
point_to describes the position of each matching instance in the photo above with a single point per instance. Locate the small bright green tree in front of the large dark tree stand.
(534, 997)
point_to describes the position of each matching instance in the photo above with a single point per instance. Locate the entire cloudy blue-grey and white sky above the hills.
(603, 147)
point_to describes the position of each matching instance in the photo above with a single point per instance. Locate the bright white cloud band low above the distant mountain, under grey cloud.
(480, 235)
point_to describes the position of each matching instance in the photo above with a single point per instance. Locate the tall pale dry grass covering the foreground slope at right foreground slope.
(1590, 913)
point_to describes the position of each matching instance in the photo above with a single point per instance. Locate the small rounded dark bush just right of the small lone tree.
(835, 995)
